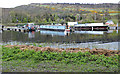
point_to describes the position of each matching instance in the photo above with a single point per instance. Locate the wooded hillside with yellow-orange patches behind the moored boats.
(61, 13)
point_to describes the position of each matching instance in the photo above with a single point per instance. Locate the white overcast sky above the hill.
(14, 3)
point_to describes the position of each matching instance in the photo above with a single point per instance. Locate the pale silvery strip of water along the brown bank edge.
(91, 45)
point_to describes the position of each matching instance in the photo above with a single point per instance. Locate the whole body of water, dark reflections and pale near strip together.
(84, 39)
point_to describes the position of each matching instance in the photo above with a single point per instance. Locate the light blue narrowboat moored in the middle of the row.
(55, 27)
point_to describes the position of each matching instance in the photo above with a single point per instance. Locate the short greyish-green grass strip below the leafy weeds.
(52, 66)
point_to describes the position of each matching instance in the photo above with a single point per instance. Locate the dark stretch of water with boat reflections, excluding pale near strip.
(56, 36)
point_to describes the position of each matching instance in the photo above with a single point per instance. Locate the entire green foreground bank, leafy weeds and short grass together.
(16, 60)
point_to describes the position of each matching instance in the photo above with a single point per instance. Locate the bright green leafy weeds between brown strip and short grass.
(10, 54)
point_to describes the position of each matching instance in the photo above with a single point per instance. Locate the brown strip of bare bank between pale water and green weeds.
(95, 51)
